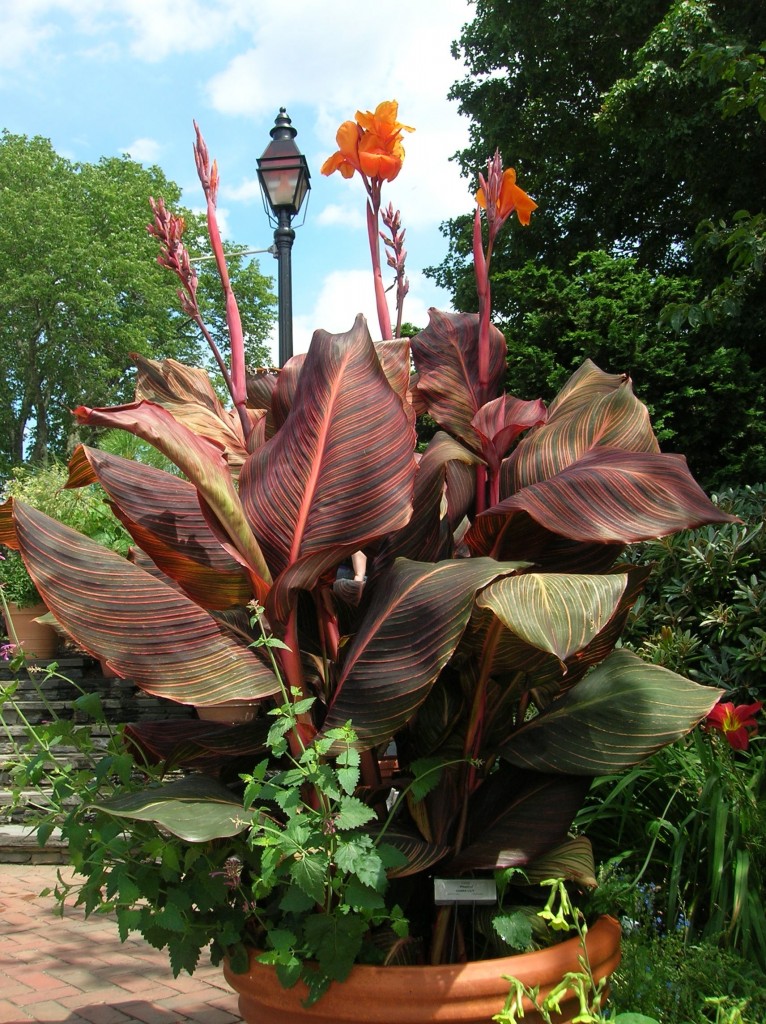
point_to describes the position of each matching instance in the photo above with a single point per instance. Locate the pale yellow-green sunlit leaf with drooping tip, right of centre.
(558, 614)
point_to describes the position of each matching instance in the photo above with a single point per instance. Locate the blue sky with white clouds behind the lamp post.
(105, 77)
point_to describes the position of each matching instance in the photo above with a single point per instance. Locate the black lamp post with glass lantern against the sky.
(284, 178)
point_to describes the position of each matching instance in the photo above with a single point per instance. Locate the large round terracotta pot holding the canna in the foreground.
(461, 994)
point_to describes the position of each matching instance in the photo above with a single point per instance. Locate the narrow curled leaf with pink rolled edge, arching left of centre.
(204, 463)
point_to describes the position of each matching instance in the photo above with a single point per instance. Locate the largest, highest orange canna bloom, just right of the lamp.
(371, 145)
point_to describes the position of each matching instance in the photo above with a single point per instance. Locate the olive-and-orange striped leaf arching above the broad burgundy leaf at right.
(595, 411)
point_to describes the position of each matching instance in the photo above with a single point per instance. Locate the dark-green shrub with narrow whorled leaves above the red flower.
(704, 610)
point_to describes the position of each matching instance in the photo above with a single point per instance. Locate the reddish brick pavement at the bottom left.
(72, 971)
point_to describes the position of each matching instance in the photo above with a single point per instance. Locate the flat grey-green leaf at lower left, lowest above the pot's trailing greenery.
(196, 809)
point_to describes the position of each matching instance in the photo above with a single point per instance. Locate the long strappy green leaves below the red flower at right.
(703, 807)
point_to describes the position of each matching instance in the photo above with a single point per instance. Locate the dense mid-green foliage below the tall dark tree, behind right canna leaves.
(607, 309)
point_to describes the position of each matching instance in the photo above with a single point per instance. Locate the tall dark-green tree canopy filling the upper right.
(640, 131)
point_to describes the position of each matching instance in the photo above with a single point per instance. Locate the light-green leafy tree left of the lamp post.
(80, 290)
